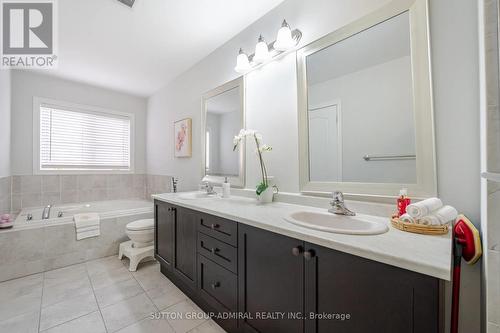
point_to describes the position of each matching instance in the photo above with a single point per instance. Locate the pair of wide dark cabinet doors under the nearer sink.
(332, 291)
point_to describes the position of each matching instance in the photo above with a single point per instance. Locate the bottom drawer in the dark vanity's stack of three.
(217, 283)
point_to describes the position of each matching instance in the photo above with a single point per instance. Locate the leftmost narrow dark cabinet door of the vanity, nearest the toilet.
(164, 233)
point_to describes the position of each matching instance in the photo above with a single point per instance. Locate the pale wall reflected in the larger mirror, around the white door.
(394, 132)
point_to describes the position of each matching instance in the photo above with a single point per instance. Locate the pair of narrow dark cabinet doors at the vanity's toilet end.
(175, 246)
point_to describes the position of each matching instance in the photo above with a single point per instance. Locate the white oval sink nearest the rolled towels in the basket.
(340, 224)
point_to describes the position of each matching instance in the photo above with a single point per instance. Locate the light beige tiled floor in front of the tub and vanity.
(99, 296)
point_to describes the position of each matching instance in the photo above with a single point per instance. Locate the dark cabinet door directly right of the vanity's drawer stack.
(270, 281)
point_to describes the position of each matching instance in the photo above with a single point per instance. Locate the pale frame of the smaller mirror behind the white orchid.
(238, 181)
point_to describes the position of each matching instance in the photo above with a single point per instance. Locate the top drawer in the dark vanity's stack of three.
(217, 227)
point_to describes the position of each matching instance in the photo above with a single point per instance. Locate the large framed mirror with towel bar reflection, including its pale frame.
(365, 106)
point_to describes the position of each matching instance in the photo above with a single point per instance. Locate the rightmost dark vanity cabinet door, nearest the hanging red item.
(377, 297)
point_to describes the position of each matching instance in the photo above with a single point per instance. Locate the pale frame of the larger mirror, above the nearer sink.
(426, 185)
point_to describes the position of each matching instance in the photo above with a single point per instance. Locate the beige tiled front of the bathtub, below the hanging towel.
(37, 249)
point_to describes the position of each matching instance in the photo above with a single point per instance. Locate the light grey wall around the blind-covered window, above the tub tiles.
(26, 85)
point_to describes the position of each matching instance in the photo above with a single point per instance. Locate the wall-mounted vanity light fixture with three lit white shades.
(286, 41)
